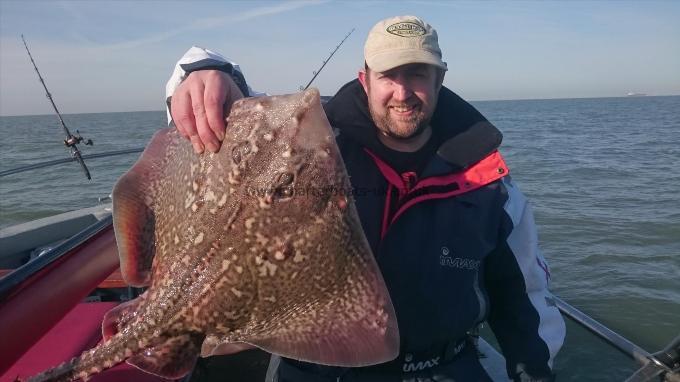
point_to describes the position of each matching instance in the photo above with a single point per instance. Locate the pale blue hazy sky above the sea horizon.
(110, 56)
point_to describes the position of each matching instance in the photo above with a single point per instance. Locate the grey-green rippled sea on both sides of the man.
(602, 175)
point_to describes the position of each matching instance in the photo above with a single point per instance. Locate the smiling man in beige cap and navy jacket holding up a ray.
(454, 237)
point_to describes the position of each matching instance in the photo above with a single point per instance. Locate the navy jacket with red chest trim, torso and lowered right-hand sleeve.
(457, 246)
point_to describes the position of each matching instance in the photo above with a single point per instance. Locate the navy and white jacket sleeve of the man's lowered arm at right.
(527, 324)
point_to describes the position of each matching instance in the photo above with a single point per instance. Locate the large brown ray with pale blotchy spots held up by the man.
(258, 243)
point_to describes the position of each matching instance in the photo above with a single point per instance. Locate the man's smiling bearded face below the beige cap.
(402, 100)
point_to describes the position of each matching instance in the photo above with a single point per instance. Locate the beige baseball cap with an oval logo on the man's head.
(402, 40)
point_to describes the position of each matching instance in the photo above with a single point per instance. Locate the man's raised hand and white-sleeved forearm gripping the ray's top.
(200, 93)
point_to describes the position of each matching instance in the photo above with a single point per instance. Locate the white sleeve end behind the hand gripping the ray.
(193, 56)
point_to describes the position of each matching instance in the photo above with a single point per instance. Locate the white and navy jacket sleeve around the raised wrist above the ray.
(200, 59)
